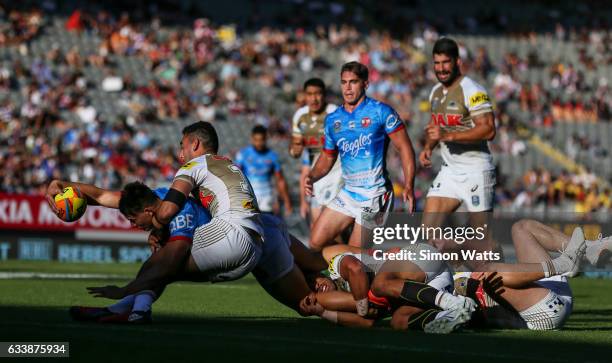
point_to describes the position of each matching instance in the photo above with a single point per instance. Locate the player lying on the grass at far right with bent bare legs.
(527, 301)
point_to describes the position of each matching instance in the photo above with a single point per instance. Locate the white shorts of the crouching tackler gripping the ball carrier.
(225, 251)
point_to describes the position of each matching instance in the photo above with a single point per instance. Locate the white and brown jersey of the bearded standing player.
(453, 109)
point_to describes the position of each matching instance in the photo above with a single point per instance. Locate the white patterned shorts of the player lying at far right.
(553, 310)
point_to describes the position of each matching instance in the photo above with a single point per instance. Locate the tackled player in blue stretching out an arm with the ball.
(172, 261)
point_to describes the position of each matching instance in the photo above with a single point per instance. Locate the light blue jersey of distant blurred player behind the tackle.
(259, 167)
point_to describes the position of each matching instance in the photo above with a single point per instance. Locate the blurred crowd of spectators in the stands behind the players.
(206, 71)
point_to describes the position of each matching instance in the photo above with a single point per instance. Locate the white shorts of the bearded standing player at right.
(475, 189)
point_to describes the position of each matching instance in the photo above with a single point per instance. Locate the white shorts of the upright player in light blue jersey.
(369, 213)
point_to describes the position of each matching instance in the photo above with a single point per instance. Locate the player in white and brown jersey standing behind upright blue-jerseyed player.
(307, 141)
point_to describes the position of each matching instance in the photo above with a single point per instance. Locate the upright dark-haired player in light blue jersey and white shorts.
(359, 132)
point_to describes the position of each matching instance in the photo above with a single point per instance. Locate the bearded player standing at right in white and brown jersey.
(461, 123)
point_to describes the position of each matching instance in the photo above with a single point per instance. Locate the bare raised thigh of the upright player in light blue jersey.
(327, 227)
